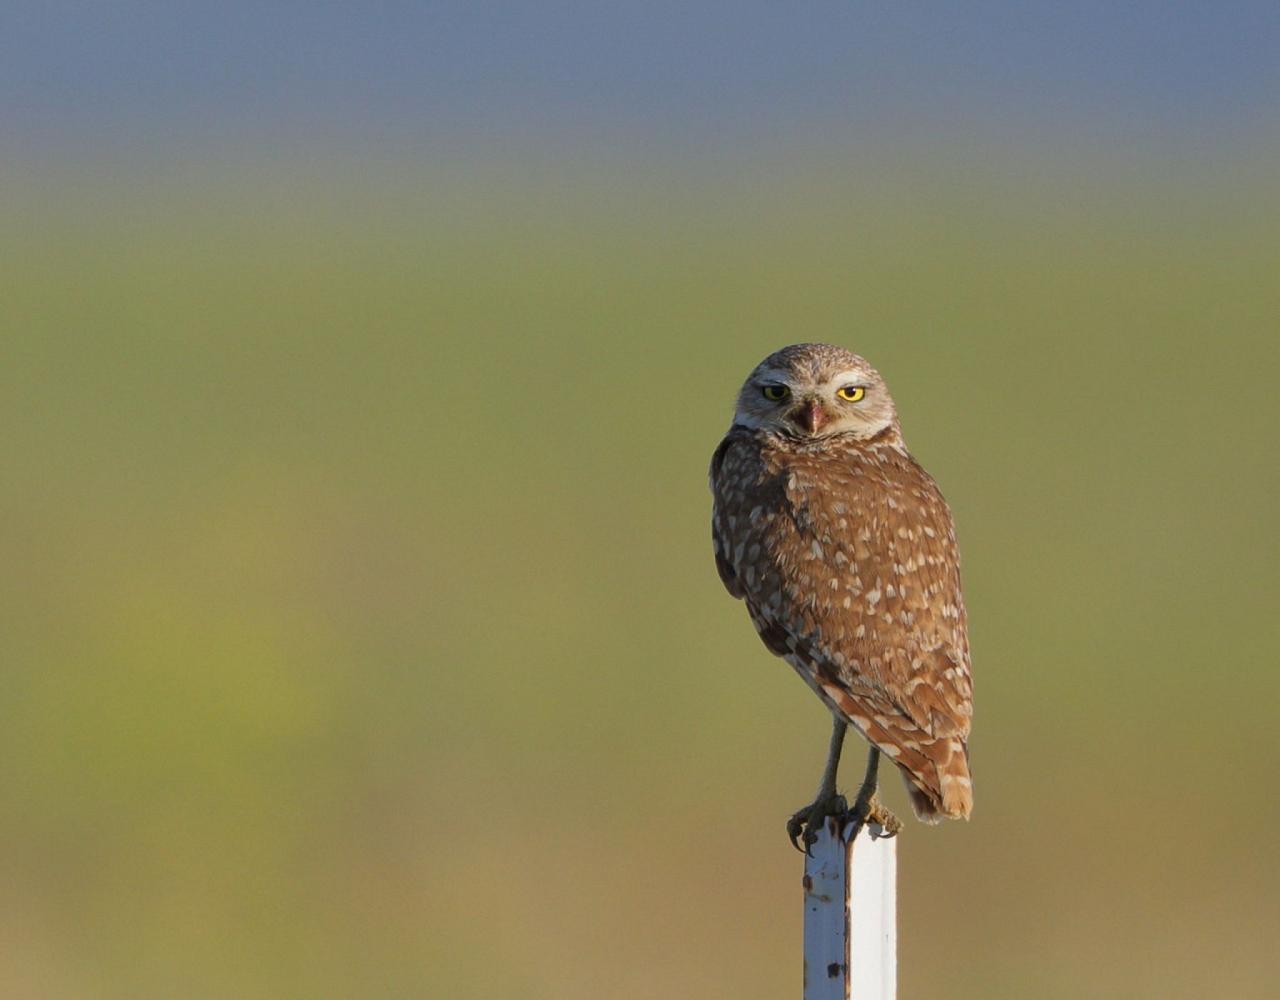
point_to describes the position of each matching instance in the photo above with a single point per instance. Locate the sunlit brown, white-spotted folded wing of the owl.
(888, 606)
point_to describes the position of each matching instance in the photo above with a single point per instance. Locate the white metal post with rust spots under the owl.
(851, 915)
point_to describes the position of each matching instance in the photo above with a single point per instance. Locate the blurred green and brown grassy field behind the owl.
(362, 636)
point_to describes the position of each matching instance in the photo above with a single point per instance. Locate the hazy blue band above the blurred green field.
(657, 71)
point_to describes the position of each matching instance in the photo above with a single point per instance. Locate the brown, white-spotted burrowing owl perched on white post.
(844, 551)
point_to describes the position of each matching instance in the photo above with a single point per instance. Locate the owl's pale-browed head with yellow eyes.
(813, 391)
